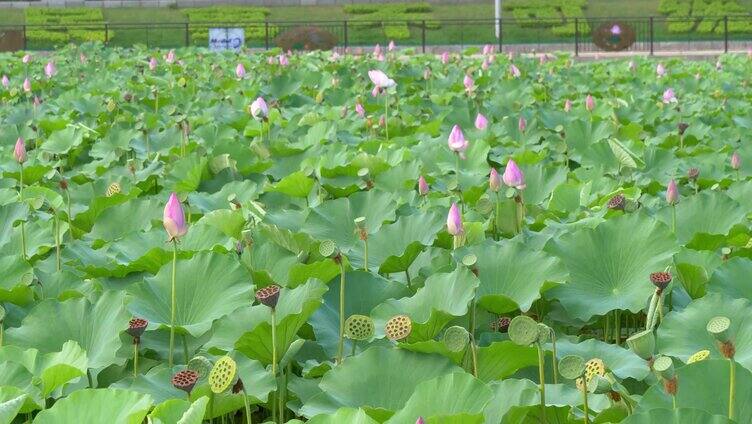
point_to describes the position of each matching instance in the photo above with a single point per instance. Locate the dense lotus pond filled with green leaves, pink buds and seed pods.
(195, 237)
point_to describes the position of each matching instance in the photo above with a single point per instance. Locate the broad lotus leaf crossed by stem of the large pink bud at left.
(207, 287)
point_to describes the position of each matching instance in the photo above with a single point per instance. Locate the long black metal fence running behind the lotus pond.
(651, 34)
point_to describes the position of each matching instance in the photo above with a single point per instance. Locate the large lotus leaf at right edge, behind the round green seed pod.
(683, 332)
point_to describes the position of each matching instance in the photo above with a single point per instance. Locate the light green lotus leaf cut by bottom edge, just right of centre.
(445, 398)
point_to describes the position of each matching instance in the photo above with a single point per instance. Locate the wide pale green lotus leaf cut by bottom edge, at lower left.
(96, 406)
